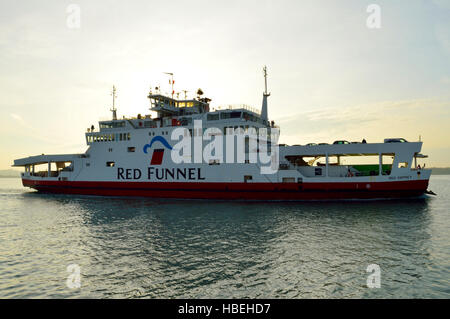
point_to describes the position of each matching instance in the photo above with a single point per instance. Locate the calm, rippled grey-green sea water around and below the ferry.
(143, 248)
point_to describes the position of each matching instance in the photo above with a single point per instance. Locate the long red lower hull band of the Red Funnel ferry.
(263, 191)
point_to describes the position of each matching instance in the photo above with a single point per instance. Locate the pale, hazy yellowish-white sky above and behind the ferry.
(331, 77)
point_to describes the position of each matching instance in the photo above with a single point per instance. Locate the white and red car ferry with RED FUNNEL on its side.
(144, 156)
